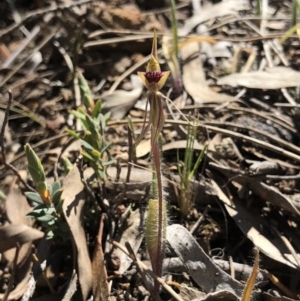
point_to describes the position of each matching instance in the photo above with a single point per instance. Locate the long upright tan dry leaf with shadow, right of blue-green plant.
(73, 206)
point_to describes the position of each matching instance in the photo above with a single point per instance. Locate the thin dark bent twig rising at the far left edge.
(2, 134)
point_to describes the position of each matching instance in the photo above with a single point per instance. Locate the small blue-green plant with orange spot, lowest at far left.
(47, 199)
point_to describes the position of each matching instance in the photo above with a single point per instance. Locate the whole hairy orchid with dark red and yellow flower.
(154, 79)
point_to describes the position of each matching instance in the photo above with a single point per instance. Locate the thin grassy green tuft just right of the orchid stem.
(187, 171)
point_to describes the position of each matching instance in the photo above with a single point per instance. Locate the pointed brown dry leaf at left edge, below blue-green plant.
(17, 233)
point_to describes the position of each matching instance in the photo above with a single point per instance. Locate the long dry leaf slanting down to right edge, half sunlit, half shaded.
(252, 227)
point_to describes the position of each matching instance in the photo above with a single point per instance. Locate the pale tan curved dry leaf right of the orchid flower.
(194, 78)
